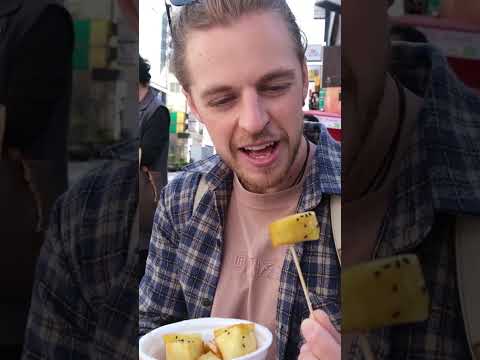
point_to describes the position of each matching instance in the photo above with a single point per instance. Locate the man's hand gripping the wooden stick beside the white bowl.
(322, 340)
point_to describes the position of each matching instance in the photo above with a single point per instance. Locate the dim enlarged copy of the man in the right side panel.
(410, 166)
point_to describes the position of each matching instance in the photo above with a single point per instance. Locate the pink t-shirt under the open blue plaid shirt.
(251, 266)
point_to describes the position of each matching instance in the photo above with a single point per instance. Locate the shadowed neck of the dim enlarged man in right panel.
(367, 157)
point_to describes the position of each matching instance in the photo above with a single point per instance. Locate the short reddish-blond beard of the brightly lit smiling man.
(269, 177)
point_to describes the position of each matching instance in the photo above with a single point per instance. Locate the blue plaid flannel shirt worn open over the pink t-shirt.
(184, 260)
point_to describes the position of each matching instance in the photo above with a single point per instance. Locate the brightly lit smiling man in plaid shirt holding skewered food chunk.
(242, 67)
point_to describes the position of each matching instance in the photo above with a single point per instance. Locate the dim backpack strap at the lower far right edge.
(467, 245)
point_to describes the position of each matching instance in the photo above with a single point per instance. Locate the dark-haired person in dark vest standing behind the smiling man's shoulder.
(154, 125)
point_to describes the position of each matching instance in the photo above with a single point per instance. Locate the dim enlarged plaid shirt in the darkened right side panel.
(439, 179)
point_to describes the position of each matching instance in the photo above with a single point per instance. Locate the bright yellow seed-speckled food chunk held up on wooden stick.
(294, 229)
